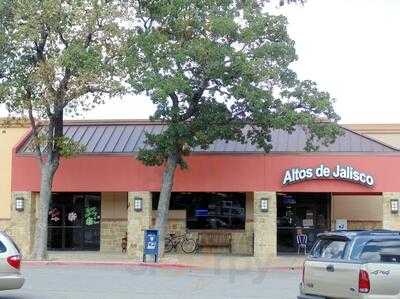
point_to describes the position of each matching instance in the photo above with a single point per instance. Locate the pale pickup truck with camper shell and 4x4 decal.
(353, 264)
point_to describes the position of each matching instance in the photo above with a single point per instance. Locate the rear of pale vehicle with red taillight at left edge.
(10, 264)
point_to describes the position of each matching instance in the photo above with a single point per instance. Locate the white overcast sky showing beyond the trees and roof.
(350, 48)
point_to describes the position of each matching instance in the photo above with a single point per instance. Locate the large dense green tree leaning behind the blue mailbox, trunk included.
(218, 70)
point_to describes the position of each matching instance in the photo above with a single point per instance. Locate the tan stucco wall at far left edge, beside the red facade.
(8, 138)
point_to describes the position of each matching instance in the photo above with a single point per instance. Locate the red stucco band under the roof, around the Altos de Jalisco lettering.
(209, 173)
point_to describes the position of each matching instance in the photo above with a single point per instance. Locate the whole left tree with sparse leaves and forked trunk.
(57, 56)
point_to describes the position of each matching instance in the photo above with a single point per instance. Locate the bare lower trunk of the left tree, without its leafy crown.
(40, 243)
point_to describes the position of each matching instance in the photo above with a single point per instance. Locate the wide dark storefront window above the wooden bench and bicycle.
(209, 210)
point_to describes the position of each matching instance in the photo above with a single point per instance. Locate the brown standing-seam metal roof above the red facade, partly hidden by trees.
(128, 137)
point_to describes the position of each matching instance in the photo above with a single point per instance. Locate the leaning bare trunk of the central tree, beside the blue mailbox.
(165, 196)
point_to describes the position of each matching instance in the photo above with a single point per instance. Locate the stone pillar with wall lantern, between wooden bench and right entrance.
(265, 231)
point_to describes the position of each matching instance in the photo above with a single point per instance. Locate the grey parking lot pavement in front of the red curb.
(43, 282)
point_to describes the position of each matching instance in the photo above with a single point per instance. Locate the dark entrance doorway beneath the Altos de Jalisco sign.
(308, 213)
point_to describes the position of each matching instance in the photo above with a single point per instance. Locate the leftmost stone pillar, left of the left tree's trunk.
(23, 222)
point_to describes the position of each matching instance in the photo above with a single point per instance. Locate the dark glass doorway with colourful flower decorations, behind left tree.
(74, 221)
